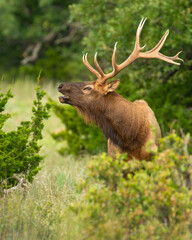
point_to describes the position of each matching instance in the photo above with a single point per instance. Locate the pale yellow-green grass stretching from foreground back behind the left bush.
(43, 212)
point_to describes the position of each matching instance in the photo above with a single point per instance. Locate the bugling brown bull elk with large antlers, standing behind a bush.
(127, 125)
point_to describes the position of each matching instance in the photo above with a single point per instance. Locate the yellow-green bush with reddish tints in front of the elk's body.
(139, 199)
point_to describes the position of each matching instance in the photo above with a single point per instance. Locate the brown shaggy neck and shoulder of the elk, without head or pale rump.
(120, 120)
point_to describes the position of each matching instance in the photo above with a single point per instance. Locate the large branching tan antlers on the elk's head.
(153, 53)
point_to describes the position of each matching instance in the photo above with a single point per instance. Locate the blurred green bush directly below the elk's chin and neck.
(78, 136)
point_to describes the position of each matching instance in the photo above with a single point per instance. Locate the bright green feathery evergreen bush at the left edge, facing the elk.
(19, 149)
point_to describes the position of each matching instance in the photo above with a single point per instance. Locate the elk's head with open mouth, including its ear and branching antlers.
(81, 94)
